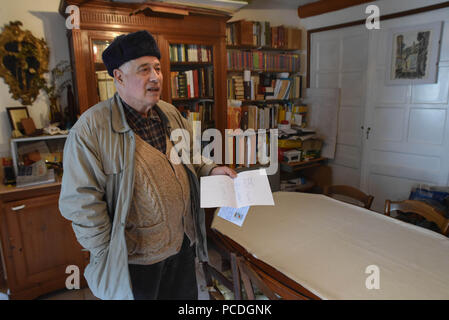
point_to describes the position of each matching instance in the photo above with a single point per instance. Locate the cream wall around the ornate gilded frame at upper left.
(42, 18)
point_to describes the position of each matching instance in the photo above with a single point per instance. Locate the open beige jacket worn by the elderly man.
(97, 187)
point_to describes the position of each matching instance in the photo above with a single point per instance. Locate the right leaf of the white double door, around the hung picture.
(408, 140)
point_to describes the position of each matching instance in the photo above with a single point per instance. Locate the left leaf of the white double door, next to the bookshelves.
(339, 60)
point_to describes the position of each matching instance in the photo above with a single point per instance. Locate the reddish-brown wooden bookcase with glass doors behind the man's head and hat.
(102, 21)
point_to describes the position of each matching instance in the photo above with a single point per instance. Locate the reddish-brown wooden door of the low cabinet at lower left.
(41, 244)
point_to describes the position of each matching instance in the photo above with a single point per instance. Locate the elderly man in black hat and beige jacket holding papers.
(135, 211)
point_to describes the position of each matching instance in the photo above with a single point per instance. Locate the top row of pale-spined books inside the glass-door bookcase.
(190, 53)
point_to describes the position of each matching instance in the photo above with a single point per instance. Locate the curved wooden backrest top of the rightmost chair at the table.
(420, 208)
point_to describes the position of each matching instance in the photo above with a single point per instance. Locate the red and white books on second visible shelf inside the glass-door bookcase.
(195, 83)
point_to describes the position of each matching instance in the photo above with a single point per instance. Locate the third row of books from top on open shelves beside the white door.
(258, 89)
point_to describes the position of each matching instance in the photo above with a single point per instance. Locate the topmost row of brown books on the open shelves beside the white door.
(261, 34)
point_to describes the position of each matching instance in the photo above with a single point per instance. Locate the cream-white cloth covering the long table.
(326, 246)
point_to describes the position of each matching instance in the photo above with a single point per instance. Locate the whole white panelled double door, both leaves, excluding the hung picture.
(405, 136)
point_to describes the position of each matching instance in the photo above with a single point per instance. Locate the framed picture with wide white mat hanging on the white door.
(413, 54)
